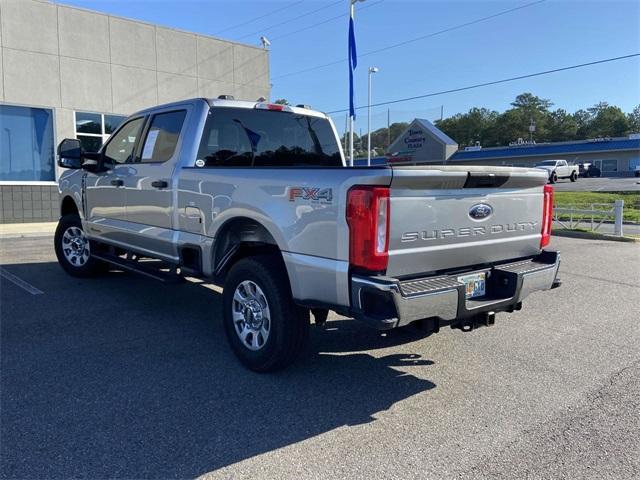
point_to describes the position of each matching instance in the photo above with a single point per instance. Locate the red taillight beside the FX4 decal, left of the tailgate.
(368, 220)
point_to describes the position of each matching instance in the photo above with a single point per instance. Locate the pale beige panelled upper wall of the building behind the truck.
(68, 58)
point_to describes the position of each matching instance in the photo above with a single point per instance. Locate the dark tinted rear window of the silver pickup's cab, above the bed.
(235, 137)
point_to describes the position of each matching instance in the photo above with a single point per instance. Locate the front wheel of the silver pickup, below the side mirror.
(73, 249)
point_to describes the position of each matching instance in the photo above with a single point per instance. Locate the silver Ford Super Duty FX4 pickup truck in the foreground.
(256, 198)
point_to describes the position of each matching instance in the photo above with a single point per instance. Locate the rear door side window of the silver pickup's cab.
(162, 137)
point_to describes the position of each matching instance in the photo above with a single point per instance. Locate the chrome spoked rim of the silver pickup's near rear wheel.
(251, 317)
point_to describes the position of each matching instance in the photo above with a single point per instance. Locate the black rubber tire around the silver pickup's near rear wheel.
(288, 323)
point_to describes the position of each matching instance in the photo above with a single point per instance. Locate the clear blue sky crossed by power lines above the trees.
(551, 34)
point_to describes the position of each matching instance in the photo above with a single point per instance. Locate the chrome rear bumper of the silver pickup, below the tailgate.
(387, 303)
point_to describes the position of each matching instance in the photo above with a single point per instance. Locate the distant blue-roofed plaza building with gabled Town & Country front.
(423, 143)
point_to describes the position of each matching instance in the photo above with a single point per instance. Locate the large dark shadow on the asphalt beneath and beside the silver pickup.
(124, 377)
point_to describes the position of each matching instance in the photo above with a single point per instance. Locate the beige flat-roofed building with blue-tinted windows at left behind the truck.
(67, 72)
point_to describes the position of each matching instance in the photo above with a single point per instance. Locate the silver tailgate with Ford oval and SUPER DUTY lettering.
(447, 217)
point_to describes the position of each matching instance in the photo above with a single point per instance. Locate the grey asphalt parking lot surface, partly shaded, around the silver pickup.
(122, 377)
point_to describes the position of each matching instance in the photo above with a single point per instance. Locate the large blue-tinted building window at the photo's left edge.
(26, 144)
